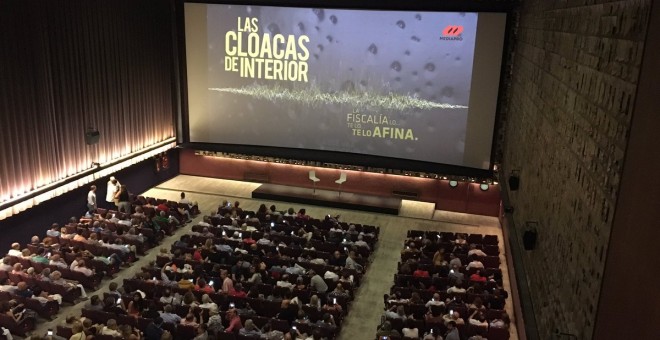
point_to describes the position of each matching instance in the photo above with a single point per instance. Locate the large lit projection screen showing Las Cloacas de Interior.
(411, 85)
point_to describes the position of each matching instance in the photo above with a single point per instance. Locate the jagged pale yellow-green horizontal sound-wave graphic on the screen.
(314, 97)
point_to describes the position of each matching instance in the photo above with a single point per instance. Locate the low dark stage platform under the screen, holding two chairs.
(329, 198)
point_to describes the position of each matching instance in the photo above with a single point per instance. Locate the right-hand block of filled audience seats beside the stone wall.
(445, 277)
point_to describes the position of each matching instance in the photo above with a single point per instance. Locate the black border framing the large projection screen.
(337, 157)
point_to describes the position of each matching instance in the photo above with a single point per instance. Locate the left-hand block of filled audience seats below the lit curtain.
(72, 260)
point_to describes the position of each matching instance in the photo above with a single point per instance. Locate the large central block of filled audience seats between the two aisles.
(267, 267)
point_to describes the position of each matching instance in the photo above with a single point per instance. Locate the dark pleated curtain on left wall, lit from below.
(72, 64)
